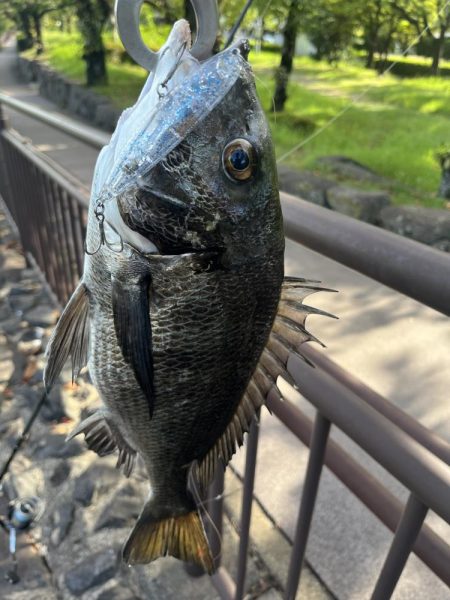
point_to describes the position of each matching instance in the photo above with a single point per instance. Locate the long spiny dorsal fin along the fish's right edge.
(288, 333)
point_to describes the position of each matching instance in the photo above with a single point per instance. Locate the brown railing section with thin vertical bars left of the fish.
(49, 208)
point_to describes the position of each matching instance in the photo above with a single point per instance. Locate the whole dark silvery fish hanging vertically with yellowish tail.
(183, 315)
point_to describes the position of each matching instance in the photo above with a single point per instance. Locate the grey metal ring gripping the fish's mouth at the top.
(127, 21)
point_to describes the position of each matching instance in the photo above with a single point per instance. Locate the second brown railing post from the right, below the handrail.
(316, 459)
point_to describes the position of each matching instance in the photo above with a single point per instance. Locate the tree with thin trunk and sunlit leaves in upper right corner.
(430, 18)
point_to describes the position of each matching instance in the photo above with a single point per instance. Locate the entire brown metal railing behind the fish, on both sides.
(50, 210)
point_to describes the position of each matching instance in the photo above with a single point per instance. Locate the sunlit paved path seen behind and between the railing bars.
(392, 343)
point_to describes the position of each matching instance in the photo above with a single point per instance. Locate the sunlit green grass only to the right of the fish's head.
(395, 128)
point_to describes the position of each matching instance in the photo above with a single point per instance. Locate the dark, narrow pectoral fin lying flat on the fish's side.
(131, 310)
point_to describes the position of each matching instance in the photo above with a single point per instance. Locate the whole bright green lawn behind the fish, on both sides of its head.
(394, 126)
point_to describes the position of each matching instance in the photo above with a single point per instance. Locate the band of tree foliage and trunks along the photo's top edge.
(334, 27)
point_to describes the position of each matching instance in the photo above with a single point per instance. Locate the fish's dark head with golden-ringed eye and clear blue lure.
(194, 166)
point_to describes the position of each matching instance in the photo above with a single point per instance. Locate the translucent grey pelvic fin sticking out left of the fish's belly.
(69, 338)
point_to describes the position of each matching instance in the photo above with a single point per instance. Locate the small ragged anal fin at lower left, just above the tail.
(104, 437)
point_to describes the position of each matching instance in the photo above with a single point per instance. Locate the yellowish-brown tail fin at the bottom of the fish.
(181, 536)
